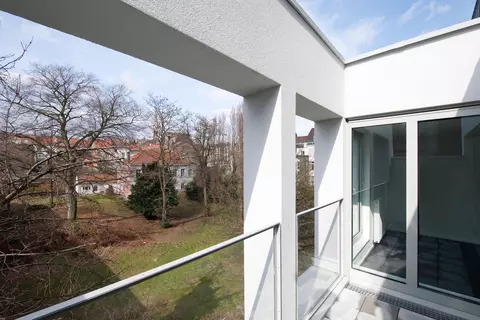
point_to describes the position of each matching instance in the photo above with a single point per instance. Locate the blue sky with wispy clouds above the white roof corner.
(359, 26)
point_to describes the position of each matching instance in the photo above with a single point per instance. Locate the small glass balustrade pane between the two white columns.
(318, 255)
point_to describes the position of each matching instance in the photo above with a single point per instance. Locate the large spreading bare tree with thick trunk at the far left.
(63, 113)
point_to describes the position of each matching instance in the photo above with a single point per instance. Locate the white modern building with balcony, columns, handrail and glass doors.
(396, 158)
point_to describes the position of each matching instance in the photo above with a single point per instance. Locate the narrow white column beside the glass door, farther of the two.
(329, 177)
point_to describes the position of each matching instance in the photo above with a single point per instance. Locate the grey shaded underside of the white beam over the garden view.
(117, 25)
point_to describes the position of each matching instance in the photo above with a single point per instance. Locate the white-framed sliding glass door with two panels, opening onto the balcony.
(415, 204)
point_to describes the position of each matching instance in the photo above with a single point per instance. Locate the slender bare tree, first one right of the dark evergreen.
(201, 133)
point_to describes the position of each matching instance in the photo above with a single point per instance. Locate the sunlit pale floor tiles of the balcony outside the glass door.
(351, 305)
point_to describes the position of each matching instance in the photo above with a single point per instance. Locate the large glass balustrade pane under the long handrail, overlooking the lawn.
(209, 288)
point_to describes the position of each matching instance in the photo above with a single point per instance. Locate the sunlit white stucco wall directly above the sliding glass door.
(439, 71)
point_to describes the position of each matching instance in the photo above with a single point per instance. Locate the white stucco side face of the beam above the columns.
(268, 36)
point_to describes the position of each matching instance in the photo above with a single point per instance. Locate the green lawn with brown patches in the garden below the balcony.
(209, 288)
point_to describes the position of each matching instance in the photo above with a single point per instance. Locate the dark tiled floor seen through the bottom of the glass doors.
(445, 264)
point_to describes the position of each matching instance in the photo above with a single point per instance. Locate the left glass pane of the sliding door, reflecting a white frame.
(379, 200)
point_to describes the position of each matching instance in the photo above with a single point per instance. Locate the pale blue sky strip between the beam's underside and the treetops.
(52, 46)
